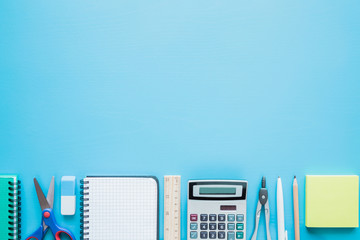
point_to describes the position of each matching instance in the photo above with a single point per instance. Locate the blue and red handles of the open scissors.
(49, 219)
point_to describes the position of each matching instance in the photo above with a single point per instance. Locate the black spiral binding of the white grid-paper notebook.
(84, 210)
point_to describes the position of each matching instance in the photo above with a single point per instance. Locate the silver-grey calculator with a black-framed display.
(216, 209)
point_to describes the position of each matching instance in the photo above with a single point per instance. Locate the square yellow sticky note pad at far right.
(332, 201)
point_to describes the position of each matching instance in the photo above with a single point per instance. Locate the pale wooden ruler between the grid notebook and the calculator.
(172, 207)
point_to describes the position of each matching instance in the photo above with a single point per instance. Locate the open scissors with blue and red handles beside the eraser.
(48, 217)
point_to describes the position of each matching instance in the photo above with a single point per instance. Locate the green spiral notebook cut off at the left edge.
(9, 207)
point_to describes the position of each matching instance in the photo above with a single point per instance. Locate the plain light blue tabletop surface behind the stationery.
(204, 89)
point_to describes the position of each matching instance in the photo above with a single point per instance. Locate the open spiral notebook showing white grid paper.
(120, 208)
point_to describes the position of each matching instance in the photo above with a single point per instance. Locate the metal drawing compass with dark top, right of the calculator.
(263, 201)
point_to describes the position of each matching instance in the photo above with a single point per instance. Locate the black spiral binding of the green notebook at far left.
(14, 210)
